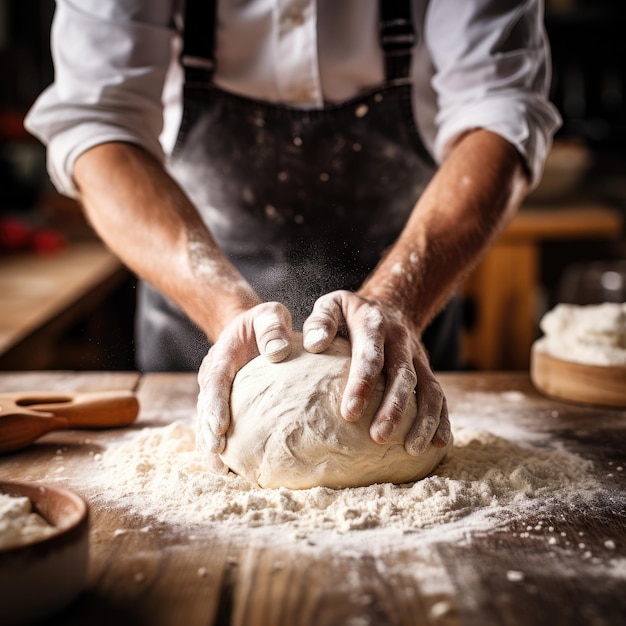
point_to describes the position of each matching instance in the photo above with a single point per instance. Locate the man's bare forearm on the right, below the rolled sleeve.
(469, 201)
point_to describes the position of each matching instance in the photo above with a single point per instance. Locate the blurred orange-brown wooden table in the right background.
(503, 289)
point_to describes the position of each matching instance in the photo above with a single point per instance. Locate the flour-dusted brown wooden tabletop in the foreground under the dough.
(244, 585)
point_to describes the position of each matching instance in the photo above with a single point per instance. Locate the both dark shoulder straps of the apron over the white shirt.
(396, 36)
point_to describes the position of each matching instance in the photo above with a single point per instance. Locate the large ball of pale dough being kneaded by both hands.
(287, 430)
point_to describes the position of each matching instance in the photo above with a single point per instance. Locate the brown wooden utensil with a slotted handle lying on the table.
(24, 417)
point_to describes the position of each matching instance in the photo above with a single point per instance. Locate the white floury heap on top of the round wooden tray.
(592, 334)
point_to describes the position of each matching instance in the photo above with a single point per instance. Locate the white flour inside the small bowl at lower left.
(19, 524)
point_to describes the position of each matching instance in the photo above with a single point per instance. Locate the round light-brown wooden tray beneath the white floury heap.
(577, 382)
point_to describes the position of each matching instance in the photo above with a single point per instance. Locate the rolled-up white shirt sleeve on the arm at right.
(492, 70)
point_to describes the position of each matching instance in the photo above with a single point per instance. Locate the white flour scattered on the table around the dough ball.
(157, 472)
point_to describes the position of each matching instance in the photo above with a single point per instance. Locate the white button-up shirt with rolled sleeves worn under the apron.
(476, 63)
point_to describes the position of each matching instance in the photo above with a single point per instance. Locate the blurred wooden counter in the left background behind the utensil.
(64, 310)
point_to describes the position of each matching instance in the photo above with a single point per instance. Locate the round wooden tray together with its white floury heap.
(582, 354)
